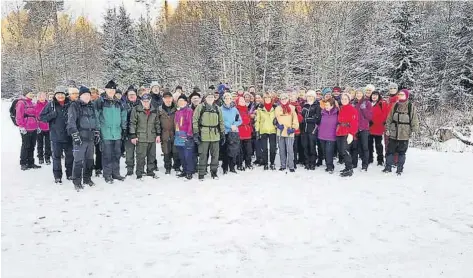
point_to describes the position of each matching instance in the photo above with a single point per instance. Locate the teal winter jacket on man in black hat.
(112, 118)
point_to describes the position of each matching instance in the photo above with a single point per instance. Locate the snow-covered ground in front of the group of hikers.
(255, 224)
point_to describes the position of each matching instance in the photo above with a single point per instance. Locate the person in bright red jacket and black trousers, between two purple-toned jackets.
(347, 127)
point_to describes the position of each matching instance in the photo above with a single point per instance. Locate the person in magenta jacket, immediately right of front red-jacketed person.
(360, 146)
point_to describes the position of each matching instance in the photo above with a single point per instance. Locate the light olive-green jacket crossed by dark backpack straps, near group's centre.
(208, 122)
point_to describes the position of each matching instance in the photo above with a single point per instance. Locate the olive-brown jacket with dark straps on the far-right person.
(400, 124)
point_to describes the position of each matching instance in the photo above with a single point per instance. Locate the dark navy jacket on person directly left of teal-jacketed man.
(82, 118)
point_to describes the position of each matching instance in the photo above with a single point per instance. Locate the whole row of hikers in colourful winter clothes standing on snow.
(92, 129)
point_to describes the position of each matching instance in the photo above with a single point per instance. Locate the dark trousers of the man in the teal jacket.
(111, 158)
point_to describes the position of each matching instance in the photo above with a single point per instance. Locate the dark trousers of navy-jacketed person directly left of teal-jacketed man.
(83, 162)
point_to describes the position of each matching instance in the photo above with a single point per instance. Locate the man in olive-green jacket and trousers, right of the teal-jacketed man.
(144, 134)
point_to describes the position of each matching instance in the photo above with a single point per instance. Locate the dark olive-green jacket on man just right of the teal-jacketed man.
(144, 127)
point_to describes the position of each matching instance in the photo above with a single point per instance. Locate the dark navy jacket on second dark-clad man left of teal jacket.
(56, 117)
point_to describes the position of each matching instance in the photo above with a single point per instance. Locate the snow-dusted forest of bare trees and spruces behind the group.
(423, 46)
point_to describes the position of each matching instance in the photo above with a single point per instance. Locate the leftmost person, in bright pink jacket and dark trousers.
(28, 126)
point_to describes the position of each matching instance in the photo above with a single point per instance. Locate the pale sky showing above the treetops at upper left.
(95, 9)
